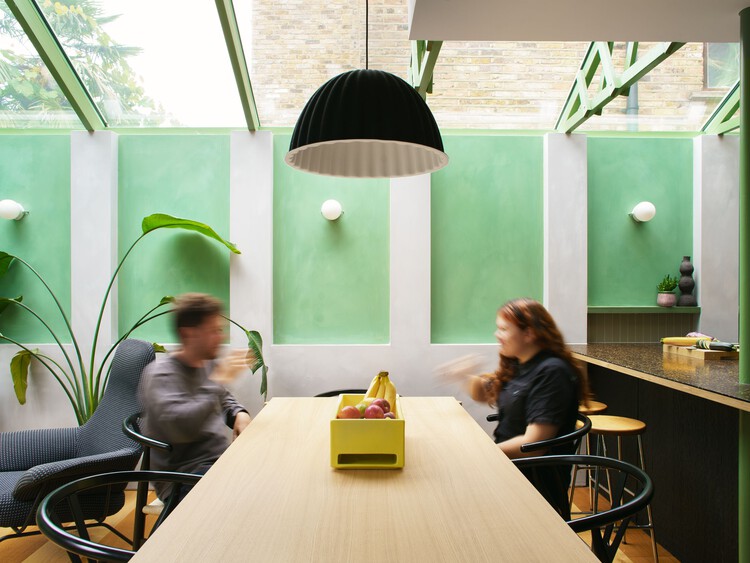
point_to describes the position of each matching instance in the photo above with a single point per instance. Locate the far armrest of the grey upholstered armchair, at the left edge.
(23, 449)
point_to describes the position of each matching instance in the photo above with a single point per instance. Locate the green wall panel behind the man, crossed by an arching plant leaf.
(185, 176)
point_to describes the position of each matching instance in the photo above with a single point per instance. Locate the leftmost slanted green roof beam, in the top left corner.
(51, 52)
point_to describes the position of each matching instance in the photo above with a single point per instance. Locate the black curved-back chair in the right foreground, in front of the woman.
(606, 534)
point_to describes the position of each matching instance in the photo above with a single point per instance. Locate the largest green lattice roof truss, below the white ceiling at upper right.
(580, 106)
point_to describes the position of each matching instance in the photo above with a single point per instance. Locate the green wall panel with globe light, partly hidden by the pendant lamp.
(331, 280)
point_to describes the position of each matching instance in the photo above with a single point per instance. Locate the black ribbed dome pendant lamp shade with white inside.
(366, 124)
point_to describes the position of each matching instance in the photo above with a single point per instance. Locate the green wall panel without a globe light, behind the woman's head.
(487, 233)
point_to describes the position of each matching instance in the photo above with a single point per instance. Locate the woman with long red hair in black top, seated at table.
(536, 388)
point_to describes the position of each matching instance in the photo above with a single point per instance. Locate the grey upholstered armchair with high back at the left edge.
(34, 462)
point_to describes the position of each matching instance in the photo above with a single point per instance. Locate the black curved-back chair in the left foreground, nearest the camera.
(65, 504)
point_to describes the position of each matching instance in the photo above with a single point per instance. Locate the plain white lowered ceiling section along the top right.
(576, 20)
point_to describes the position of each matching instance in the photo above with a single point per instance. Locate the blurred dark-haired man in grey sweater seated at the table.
(184, 398)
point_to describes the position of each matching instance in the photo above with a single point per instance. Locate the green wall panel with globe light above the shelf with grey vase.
(627, 259)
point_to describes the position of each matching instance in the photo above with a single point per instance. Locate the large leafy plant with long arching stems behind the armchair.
(84, 382)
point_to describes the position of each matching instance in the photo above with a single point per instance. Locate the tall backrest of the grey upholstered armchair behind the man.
(103, 432)
